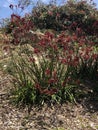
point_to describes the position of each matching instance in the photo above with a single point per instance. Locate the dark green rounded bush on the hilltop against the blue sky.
(69, 16)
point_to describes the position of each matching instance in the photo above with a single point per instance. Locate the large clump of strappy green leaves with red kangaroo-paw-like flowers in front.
(53, 69)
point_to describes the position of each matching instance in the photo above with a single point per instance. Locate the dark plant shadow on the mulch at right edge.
(88, 97)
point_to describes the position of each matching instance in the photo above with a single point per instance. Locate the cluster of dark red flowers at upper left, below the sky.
(19, 28)
